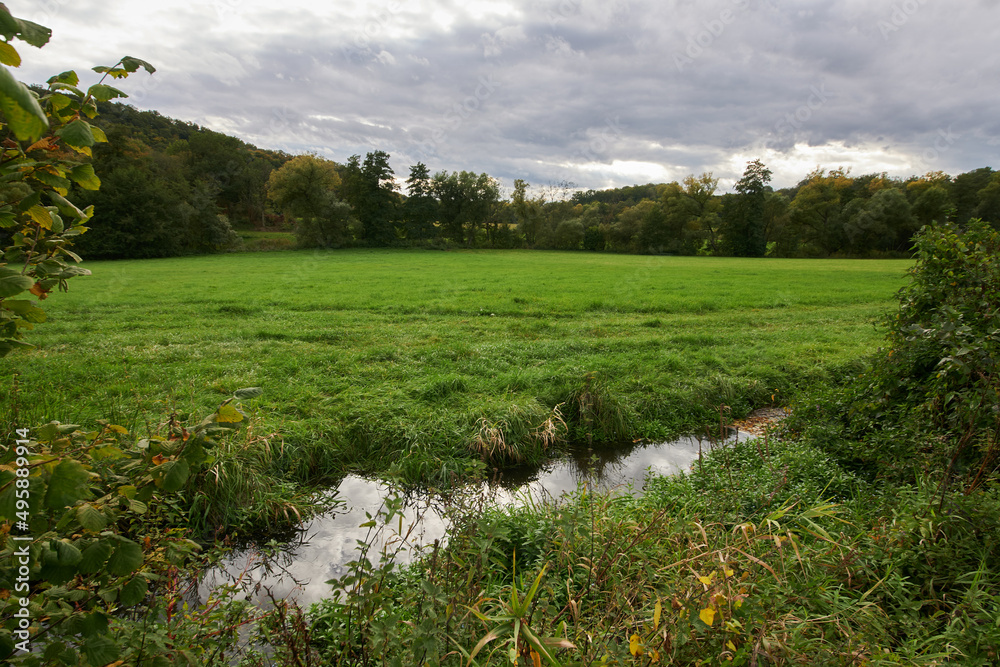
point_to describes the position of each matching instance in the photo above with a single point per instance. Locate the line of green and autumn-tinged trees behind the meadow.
(171, 187)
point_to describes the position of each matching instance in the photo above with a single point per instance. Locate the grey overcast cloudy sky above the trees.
(597, 93)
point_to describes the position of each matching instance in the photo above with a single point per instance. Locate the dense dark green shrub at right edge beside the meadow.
(934, 389)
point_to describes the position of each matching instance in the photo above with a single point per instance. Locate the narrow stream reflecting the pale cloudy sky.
(326, 544)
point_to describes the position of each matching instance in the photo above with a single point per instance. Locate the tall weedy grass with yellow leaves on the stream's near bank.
(756, 557)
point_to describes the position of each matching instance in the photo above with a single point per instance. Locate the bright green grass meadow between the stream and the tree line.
(369, 356)
